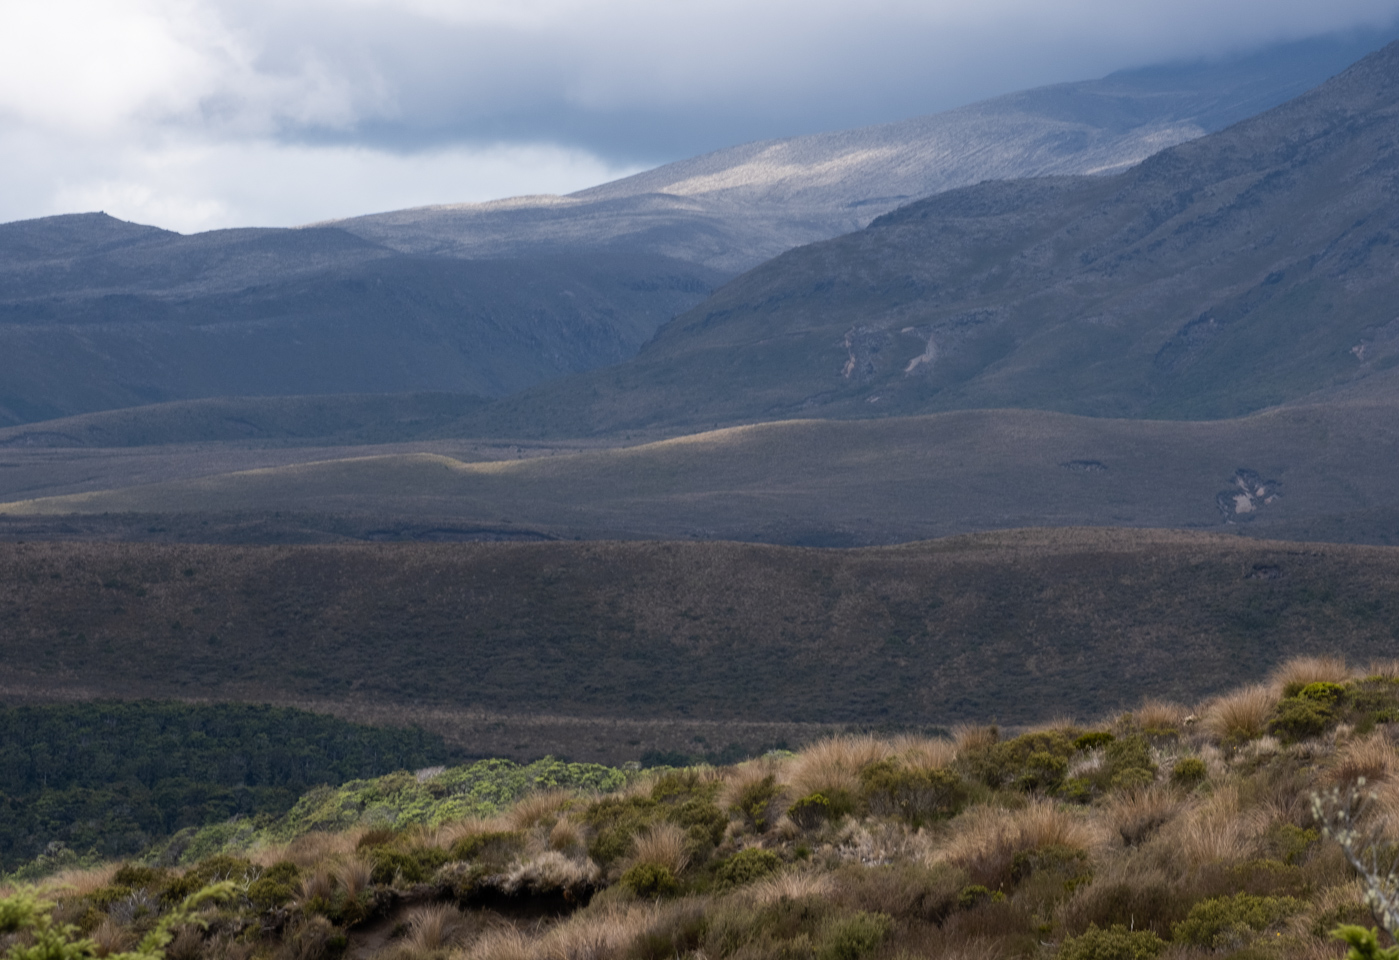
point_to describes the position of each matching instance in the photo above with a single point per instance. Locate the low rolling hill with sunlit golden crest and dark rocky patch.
(841, 483)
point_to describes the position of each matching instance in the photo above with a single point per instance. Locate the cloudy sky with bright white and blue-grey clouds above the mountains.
(205, 114)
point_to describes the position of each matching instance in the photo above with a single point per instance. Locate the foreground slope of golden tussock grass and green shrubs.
(1167, 832)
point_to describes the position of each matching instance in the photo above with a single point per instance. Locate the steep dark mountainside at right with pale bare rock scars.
(1221, 276)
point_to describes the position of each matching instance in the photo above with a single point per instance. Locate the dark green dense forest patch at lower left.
(110, 779)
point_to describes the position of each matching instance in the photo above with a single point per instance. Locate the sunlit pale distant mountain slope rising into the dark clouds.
(735, 208)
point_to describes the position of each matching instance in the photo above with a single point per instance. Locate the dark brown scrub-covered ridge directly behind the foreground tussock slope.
(1015, 626)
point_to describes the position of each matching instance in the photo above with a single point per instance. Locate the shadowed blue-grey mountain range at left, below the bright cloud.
(96, 314)
